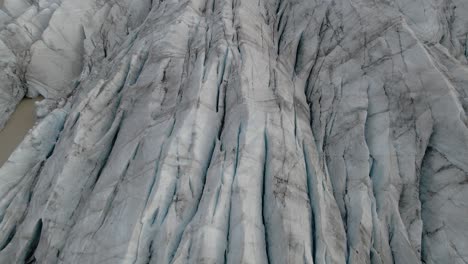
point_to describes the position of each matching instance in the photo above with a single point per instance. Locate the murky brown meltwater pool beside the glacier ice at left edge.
(17, 127)
